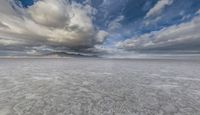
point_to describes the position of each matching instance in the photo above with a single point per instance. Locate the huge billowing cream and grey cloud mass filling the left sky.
(54, 23)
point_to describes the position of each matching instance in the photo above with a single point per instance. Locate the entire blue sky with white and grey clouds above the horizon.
(102, 27)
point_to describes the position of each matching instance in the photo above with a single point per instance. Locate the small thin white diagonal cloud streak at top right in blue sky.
(160, 5)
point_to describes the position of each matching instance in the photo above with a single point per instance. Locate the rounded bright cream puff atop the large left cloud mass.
(49, 13)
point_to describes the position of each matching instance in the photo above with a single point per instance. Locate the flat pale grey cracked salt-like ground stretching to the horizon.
(99, 87)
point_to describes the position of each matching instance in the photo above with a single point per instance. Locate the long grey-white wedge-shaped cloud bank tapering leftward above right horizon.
(184, 36)
